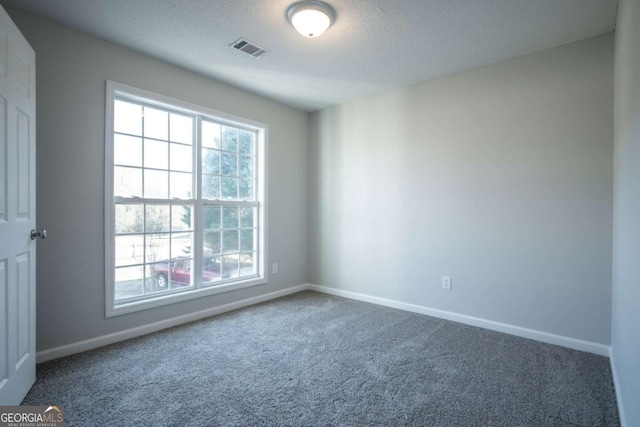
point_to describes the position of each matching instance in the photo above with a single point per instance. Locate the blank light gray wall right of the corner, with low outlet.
(500, 177)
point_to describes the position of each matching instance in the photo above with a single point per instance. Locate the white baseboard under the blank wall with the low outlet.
(573, 343)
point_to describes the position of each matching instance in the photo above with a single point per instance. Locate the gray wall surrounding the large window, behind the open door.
(71, 73)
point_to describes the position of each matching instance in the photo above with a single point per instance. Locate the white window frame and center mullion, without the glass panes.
(117, 90)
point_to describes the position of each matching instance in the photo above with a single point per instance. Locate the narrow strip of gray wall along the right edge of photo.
(625, 335)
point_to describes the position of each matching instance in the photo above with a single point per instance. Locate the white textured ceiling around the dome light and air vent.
(374, 45)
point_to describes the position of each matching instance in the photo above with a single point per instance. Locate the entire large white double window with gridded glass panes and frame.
(185, 201)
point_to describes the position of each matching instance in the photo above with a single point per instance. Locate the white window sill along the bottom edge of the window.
(162, 300)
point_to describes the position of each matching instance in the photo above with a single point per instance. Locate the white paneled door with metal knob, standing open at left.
(17, 213)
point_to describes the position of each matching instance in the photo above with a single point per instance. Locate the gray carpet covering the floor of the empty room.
(316, 360)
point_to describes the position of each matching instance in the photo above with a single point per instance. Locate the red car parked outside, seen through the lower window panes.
(179, 269)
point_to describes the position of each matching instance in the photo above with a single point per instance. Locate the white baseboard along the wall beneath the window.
(90, 344)
